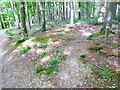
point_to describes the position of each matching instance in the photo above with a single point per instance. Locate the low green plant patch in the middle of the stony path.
(52, 64)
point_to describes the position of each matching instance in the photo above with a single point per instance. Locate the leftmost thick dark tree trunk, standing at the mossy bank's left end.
(23, 18)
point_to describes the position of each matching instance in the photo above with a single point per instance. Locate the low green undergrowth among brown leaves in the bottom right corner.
(105, 76)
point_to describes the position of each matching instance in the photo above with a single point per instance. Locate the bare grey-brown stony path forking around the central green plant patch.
(18, 71)
